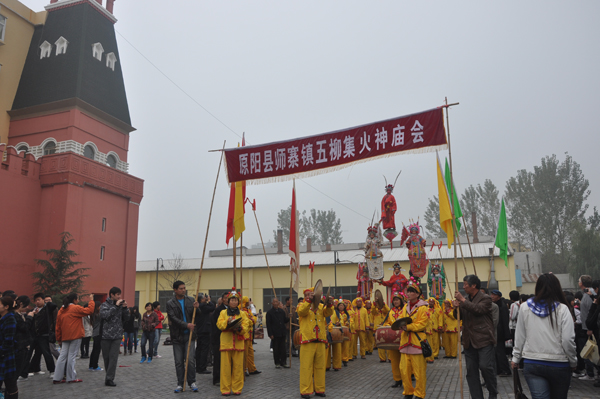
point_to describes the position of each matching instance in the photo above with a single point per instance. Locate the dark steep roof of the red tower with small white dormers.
(76, 73)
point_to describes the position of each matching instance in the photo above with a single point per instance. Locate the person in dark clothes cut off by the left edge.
(8, 364)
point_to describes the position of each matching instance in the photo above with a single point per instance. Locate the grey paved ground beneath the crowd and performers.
(362, 378)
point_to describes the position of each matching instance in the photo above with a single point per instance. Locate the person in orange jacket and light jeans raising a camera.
(69, 332)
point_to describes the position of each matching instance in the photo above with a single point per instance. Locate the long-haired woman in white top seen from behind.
(545, 340)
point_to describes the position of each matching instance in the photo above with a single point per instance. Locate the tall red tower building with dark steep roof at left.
(64, 134)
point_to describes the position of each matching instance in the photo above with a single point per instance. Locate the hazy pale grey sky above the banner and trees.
(526, 75)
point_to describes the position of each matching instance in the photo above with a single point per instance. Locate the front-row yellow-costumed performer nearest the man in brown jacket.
(412, 360)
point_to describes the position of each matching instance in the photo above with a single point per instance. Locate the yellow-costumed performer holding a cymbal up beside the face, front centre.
(314, 340)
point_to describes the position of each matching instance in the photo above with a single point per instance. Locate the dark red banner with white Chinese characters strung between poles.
(312, 155)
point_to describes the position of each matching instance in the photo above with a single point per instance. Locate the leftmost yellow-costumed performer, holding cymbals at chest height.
(232, 346)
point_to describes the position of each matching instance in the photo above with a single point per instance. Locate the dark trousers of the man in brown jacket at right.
(483, 360)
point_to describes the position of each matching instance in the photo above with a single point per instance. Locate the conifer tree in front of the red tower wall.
(60, 275)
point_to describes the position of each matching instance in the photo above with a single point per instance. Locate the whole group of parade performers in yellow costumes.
(328, 337)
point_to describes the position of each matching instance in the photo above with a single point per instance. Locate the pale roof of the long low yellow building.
(480, 250)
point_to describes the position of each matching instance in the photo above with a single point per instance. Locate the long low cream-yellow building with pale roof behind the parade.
(335, 265)
